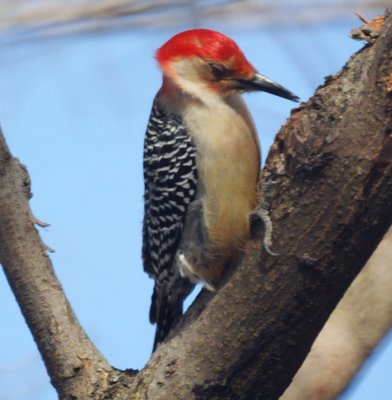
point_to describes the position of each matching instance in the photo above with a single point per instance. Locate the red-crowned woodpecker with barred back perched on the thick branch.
(201, 165)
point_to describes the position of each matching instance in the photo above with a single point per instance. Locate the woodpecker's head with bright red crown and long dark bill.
(202, 59)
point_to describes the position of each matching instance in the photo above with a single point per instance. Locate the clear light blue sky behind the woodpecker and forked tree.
(74, 110)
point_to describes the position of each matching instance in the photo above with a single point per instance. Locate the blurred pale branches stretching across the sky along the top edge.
(53, 18)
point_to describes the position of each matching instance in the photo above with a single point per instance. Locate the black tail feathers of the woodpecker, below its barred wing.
(166, 307)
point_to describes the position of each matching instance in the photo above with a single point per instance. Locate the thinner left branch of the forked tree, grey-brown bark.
(73, 363)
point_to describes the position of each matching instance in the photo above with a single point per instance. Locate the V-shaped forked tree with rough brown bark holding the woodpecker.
(330, 210)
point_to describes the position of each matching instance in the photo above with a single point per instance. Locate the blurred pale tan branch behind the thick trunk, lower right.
(357, 325)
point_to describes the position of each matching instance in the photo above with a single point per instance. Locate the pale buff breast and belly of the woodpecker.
(228, 160)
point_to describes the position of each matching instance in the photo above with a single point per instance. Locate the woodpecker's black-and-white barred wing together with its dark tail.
(170, 179)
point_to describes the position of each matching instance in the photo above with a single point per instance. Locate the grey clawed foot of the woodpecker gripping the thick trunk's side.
(262, 212)
